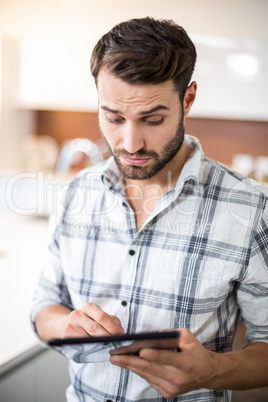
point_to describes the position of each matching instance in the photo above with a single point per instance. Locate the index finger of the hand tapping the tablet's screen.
(110, 324)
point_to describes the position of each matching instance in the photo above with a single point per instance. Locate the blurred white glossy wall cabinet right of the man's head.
(232, 78)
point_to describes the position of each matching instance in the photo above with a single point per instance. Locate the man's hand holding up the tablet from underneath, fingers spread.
(171, 373)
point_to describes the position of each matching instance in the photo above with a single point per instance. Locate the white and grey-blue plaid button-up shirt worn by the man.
(198, 262)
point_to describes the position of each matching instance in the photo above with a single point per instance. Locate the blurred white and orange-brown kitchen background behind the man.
(49, 131)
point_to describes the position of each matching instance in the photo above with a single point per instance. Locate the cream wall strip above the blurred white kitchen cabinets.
(91, 18)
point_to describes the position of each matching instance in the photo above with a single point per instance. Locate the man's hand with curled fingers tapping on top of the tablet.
(91, 320)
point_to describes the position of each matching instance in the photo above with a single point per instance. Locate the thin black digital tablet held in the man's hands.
(99, 348)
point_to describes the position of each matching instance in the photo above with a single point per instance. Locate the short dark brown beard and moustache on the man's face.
(159, 160)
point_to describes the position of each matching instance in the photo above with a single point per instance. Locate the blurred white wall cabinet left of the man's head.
(55, 74)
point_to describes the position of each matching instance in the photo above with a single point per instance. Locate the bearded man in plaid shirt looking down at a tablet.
(158, 237)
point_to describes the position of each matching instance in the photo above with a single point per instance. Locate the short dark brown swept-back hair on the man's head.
(146, 51)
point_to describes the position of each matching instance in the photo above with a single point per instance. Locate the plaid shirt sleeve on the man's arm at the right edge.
(253, 289)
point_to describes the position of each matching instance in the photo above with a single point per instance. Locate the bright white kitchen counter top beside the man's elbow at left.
(23, 244)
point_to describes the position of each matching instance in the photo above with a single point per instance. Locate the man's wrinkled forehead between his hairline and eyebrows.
(120, 95)
